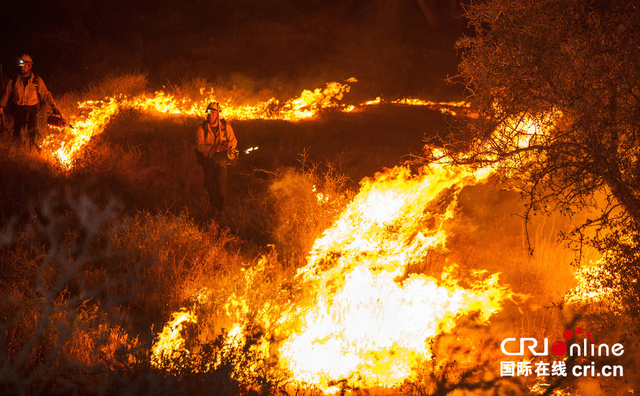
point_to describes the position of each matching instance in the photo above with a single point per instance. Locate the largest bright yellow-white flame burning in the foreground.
(362, 322)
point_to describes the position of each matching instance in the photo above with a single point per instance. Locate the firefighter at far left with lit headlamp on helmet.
(23, 98)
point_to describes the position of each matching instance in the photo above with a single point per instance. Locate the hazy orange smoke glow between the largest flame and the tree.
(490, 233)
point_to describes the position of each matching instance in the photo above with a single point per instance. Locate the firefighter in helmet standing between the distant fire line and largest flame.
(215, 147)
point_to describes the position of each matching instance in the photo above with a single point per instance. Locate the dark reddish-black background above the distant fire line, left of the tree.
(389, 45)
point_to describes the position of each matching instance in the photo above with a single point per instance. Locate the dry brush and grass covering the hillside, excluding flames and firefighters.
(95, 260)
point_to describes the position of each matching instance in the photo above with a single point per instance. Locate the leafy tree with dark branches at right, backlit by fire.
(557, 83)
